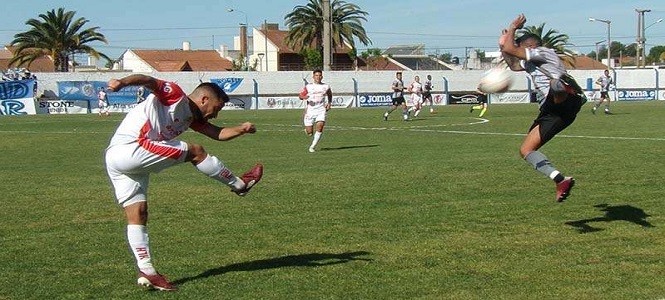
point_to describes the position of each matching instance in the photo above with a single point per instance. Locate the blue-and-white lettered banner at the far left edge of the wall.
(17, 97)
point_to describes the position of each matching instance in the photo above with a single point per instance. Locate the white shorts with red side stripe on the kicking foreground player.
(130, 165)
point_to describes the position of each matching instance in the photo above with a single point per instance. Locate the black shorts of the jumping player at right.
(553, 118)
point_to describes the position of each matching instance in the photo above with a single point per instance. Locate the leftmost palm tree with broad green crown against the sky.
(57, 35)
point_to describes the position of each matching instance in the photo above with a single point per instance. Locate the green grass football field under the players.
(441, 207)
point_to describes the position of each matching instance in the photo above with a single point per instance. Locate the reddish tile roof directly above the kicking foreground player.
(184, 60)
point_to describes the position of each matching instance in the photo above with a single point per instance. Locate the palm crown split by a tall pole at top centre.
(305, 25)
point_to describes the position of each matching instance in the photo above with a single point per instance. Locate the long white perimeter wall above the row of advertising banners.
(342, 82)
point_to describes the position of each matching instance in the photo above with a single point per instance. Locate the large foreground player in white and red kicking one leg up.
(145, 143)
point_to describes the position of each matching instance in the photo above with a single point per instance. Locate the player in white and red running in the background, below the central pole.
(319, 100)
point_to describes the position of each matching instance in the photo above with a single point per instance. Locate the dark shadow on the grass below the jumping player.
(613, 213)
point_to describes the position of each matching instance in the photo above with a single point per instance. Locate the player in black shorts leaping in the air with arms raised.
(560, 98)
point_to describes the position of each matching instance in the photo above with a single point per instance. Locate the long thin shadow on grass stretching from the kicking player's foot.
(301, 260)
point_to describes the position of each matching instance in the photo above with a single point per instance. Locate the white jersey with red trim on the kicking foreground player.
(164, 115)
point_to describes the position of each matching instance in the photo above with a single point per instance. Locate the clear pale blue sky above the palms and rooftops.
(442, 25)
